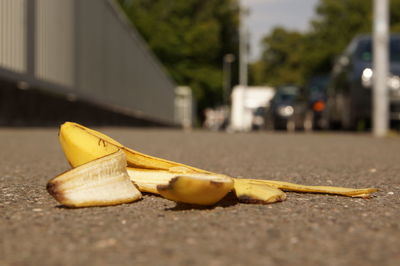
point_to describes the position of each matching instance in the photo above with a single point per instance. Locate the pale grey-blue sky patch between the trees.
(266, 14)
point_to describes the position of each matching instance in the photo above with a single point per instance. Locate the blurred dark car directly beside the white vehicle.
(287, 109)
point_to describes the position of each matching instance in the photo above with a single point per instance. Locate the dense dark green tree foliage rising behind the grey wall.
(190, 38)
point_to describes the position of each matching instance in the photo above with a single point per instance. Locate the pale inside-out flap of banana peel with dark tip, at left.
(101, 182)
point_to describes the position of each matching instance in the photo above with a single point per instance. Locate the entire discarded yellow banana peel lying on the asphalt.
(182, 183)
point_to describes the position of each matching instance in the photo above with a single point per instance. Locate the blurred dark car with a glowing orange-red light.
(317, 97)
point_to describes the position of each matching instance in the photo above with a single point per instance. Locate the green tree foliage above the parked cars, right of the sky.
(293, 57)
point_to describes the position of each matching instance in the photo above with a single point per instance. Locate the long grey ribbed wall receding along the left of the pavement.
(85, 50)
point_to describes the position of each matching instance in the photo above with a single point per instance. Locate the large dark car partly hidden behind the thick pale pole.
(350, 93)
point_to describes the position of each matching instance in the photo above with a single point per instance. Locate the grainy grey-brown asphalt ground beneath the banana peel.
(306, 229)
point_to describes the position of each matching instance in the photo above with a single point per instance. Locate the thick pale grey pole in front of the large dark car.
(380, 64)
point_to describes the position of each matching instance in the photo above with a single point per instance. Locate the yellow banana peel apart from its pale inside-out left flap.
(179, 182)
